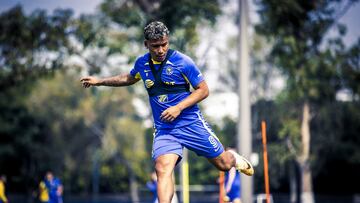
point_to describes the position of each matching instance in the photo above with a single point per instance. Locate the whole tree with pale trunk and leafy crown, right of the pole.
(298, 31)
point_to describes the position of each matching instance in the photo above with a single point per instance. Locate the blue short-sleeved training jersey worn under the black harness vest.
(179, 69)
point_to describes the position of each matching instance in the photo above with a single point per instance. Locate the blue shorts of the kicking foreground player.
(197, 137)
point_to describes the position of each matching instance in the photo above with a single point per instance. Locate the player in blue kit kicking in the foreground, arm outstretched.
(167, 75)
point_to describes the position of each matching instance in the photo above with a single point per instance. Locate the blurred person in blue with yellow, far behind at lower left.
(54, 188)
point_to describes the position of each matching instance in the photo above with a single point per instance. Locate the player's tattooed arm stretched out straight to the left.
(115, 81)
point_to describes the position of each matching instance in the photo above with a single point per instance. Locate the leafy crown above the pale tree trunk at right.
(298, 30)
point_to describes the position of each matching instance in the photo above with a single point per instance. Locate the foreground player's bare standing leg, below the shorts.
(164, 166)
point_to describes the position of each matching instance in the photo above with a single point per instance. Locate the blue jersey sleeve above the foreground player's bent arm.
(192, 72)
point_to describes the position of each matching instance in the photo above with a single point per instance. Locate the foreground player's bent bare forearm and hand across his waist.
(199, 94)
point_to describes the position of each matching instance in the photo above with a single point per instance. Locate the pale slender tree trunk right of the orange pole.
(307, 195)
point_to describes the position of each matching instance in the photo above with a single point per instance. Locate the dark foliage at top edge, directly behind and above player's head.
(182, 17)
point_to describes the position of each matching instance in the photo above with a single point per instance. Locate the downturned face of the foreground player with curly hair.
(158, 48)
